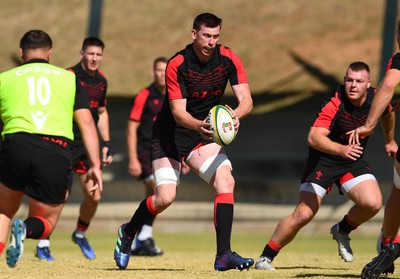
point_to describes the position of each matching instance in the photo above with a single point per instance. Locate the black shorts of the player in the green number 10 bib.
(37, 165)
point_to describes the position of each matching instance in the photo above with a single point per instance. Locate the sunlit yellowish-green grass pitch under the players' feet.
(192, 256)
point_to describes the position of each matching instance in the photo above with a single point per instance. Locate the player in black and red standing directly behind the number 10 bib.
(95, 84)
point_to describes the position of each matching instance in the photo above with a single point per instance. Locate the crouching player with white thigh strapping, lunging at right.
(332, 160)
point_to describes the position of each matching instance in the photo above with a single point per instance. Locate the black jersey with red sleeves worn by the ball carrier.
(202, 85)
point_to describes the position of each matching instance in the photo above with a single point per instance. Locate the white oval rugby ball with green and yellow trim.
(222, 126)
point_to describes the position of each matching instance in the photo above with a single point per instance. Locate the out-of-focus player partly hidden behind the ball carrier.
(146, 104)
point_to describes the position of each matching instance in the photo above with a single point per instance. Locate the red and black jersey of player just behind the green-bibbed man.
(96, 89)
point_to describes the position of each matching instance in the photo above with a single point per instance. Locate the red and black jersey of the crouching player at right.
(340, 116)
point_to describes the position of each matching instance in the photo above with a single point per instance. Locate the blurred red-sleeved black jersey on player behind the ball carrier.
(145, 107)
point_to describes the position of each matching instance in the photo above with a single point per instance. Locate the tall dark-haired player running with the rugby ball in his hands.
(196, 78)
